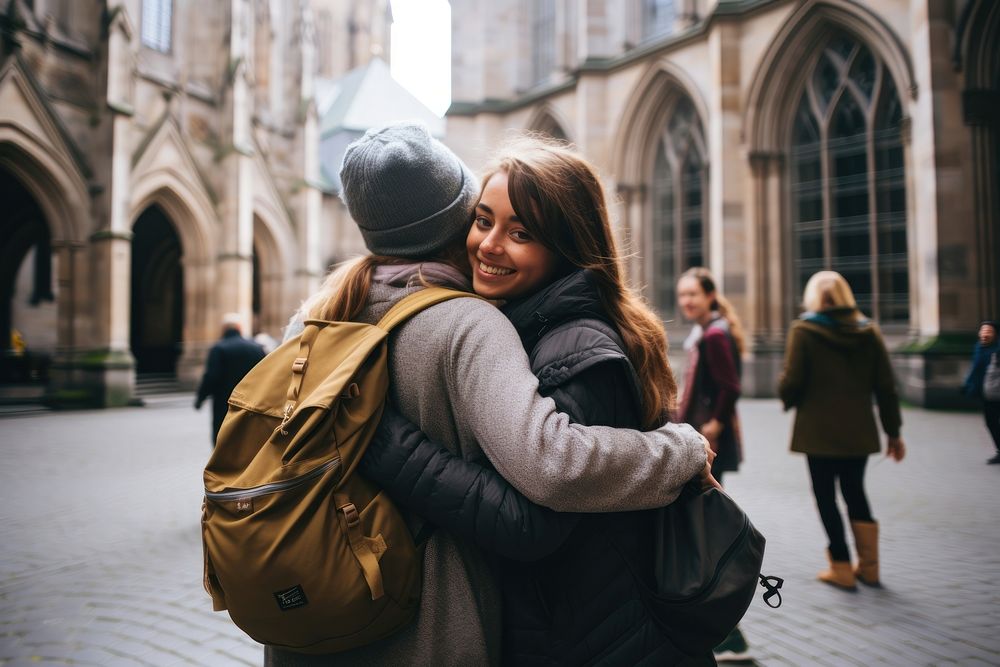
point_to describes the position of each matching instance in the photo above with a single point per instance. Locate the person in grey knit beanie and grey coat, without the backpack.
(458, 370)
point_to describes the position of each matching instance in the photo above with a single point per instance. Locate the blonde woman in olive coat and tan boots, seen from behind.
(835, 360)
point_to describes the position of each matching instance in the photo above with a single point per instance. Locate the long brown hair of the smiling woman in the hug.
(559, 197)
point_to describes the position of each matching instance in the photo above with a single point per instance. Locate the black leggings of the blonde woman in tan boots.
(851, 471)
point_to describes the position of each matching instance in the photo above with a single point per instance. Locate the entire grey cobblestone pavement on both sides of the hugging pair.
(100, 559)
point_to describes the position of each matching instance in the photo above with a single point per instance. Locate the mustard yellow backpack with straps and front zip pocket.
(303, 553)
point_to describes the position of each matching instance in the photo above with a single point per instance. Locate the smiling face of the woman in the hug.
(507, 262)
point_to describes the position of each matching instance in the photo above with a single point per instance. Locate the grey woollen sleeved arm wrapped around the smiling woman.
(555, 463)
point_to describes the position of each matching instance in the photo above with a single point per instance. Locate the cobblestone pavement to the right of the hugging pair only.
(940, 539)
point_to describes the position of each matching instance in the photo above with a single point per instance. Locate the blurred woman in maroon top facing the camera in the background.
(711, 386)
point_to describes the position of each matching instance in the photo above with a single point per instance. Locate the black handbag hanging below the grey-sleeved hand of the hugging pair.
(707, 567)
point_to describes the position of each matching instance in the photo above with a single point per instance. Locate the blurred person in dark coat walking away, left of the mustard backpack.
(229, 360)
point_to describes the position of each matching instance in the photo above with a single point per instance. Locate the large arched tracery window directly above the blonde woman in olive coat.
(847, 180)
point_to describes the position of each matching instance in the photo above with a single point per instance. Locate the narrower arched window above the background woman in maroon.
(678, 188)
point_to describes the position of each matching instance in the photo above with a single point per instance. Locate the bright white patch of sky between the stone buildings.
(421, 50)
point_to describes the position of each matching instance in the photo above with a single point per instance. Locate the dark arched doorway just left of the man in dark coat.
(157, 322)
